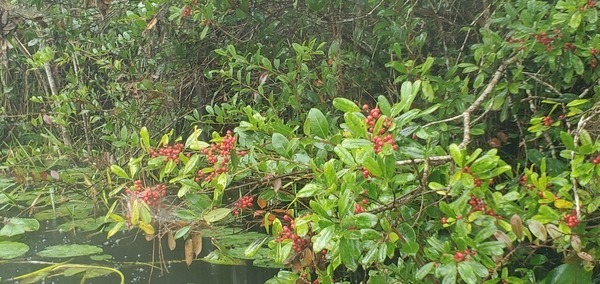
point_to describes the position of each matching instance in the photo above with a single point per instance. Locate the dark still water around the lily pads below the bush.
(132, 256)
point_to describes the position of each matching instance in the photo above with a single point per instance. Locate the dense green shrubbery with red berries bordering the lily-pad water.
(377, 141)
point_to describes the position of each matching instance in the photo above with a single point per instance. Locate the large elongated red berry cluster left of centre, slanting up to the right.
(218, 156)
